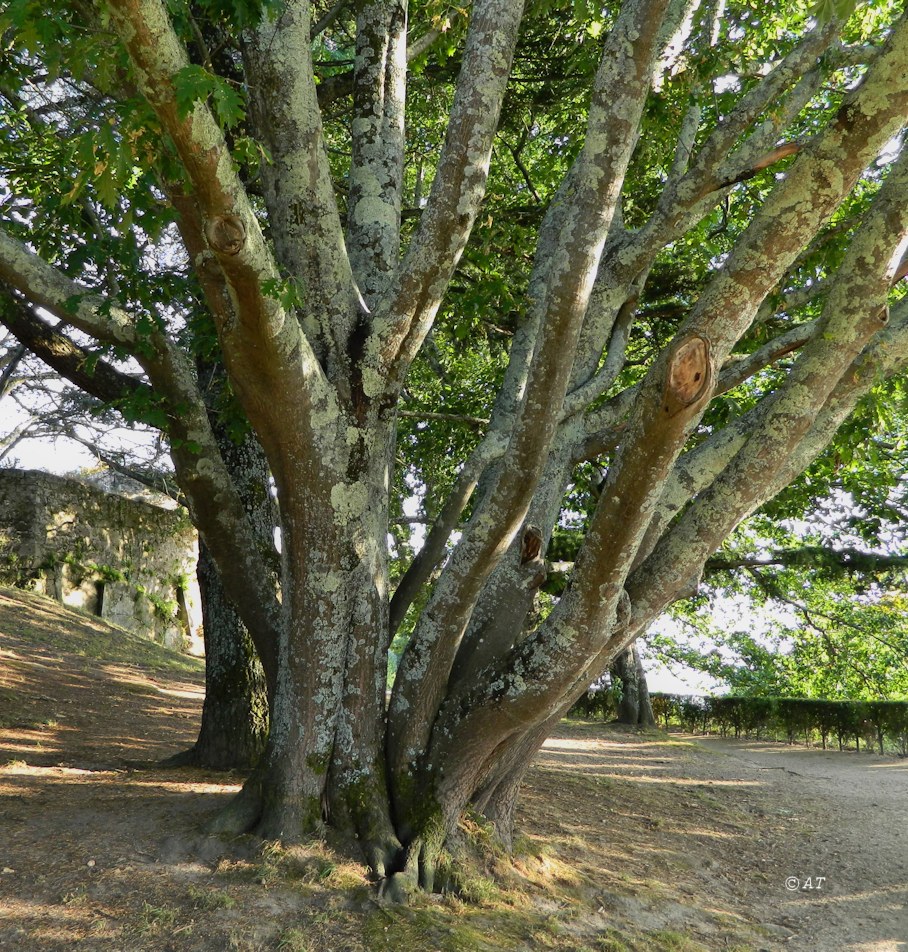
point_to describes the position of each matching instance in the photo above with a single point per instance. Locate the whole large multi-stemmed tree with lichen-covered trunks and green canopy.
(718, 207)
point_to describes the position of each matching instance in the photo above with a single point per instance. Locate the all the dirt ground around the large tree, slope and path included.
(630, 842)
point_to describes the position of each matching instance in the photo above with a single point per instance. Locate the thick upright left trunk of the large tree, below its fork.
(324, 761)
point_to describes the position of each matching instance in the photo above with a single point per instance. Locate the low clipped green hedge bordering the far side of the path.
(875, 723)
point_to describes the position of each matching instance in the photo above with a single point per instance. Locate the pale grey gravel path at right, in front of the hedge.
(842, 882)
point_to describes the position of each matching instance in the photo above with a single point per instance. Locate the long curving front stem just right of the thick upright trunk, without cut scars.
(569, 257)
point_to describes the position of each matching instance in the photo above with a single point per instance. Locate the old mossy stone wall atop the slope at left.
(123, 559)
